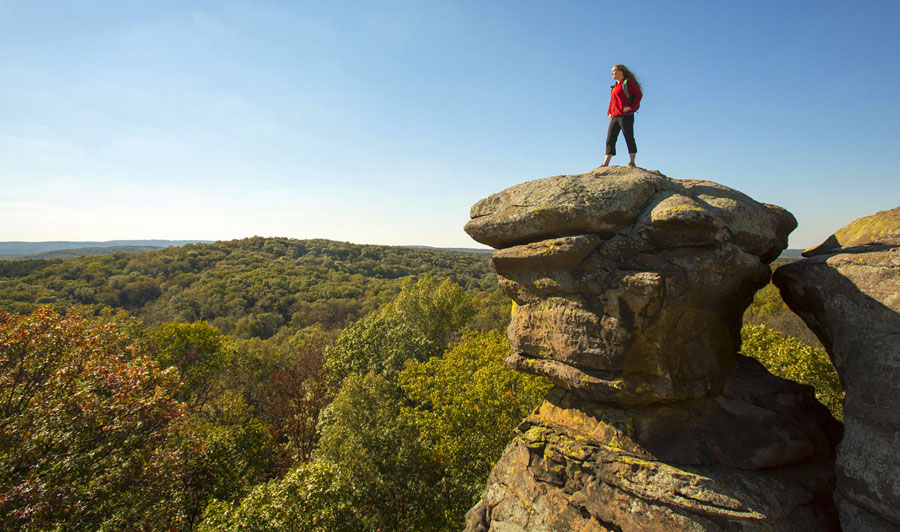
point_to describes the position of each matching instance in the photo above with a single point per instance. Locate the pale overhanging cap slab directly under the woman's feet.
(616, 199)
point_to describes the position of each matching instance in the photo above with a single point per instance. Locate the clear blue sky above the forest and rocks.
(383, 122)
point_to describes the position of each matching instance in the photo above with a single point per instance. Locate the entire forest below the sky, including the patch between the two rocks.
(273, 384)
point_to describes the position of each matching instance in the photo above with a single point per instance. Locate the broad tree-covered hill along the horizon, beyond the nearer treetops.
(250, 287)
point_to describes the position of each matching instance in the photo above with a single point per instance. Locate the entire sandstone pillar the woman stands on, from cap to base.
(628, 290)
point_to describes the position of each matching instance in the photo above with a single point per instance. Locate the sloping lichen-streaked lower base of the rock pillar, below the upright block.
(704, 466)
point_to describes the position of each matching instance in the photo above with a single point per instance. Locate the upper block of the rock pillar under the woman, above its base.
(629, 286)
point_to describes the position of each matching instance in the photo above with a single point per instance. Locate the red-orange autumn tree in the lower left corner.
(82, 408)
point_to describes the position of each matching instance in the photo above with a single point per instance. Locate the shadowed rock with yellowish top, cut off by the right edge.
(848, 292)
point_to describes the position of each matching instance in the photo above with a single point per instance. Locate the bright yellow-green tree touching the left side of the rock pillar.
(466, 406)
